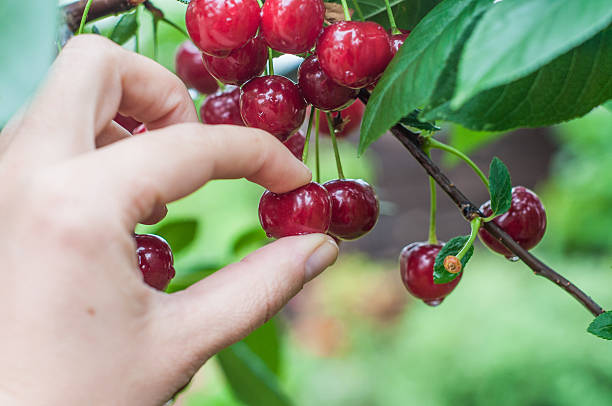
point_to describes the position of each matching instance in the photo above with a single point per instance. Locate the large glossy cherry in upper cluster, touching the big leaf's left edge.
(354, 53)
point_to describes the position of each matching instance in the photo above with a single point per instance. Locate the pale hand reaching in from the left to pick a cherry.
(79, 326)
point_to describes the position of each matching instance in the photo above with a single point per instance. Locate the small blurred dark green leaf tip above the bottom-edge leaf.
(265, 342)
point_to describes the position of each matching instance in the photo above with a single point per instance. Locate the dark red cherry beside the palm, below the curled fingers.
(155, 260)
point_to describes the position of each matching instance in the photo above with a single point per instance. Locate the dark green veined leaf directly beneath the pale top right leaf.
(568, 87)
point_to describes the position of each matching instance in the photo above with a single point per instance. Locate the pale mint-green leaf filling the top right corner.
(533, 32)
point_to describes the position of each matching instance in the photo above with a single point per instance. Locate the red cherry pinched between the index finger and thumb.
(304, 210)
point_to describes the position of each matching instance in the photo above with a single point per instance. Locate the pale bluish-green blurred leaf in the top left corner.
(27, 35)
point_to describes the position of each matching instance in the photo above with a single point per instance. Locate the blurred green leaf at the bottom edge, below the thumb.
(250, 379)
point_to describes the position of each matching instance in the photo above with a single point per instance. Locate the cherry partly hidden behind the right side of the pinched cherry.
(354, 208)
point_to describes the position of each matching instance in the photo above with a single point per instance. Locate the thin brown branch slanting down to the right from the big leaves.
(413, 143)
